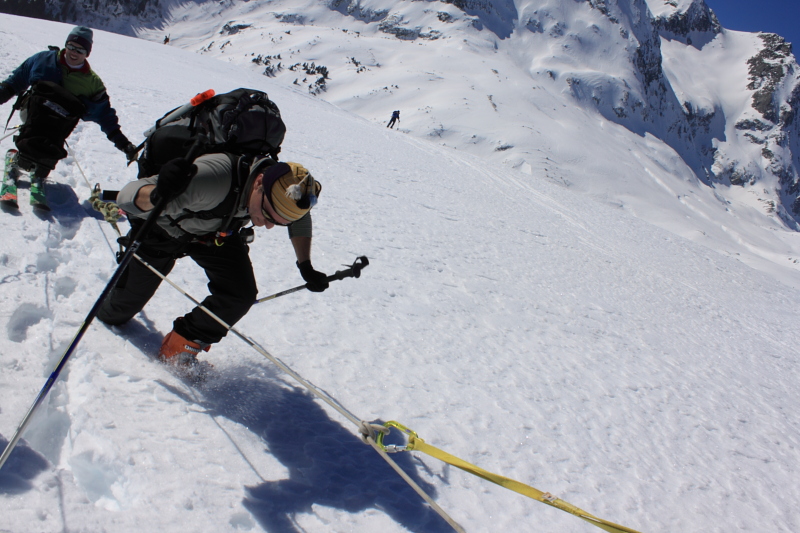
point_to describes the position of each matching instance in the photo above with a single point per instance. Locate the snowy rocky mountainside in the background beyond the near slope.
(565, 94)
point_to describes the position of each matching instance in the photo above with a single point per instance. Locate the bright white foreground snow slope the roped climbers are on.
(507, 318)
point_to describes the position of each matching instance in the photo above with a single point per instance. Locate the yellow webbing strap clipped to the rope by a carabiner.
(416, 443)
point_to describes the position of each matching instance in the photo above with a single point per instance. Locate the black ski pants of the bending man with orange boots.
(231, 283)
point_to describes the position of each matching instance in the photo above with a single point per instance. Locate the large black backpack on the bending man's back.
(241, 122)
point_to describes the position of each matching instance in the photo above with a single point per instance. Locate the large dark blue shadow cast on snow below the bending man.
(328, 464)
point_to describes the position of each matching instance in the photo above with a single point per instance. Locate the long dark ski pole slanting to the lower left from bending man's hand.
(123, 263)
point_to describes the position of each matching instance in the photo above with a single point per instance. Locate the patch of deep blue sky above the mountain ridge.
(775, 16)
